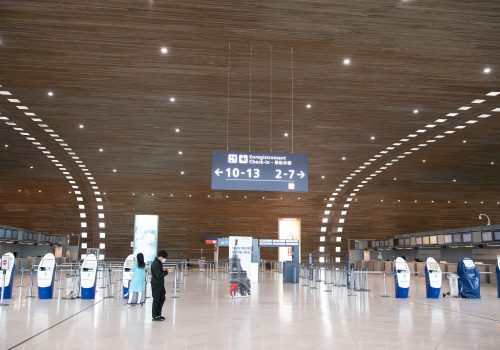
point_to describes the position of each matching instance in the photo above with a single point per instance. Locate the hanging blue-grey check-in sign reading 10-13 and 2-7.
(244, 171)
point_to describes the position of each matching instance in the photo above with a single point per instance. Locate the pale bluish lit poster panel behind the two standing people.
(146, 236)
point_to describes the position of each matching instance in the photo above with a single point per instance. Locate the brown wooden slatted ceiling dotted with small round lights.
(102, 61)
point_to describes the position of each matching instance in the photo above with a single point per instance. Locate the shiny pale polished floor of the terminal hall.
(277, 316)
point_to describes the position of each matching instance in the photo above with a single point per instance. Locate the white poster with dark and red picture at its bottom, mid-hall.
(240, 262)
